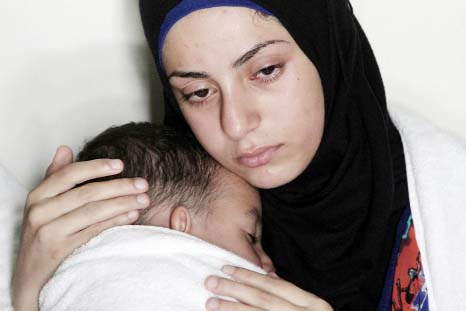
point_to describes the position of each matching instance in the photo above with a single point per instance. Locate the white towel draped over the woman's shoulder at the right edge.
(436, 172)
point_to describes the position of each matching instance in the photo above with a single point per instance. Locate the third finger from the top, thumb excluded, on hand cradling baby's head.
(96, 212)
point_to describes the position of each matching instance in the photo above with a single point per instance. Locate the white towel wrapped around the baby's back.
(138, 268)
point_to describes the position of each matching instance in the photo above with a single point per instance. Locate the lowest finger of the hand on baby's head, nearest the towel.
(85, 235)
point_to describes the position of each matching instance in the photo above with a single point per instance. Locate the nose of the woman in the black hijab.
(239, 115)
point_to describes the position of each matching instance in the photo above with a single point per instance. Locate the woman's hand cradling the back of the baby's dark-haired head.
(59, 218)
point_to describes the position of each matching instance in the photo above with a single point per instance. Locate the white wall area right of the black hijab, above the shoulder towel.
(421, 48)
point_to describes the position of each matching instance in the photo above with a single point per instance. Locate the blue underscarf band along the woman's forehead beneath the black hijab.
(186, 7)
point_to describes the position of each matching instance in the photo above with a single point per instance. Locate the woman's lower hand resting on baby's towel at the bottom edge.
(258, 292)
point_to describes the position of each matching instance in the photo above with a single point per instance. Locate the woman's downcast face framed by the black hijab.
(249, 93)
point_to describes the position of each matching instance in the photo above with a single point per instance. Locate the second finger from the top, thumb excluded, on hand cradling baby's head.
(92, 192)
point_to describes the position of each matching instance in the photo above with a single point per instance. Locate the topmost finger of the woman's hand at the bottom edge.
(273, 285)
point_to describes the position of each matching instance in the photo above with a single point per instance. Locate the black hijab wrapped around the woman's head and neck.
(331, 230)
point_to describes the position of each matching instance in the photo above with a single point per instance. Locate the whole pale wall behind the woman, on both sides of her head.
(70, 69)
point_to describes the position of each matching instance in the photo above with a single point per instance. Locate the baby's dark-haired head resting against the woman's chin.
(189, 191)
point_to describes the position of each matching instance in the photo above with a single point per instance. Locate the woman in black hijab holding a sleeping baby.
(288, 95)
